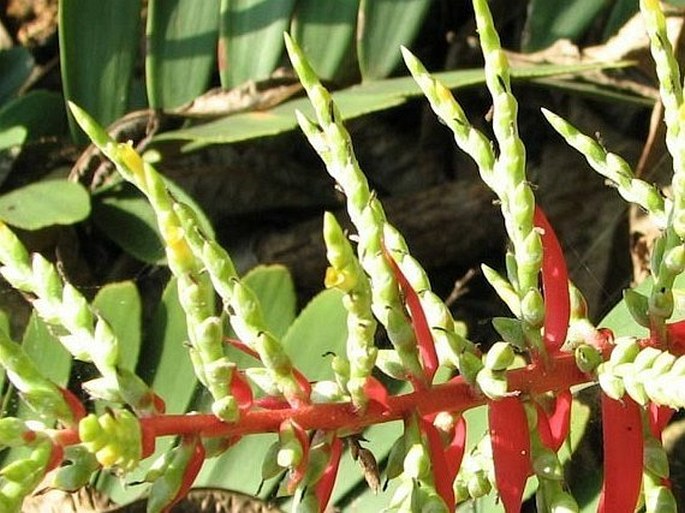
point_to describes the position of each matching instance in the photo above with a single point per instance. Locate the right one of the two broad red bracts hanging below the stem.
(623, 453)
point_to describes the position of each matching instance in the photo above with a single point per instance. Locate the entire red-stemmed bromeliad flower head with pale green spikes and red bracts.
(547, 347)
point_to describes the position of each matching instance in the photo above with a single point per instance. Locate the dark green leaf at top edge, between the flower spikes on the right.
(550, 21)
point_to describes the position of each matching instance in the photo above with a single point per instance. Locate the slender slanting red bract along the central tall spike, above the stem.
(424, 338)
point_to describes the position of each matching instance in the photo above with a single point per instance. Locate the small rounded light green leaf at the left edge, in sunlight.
(45, 203)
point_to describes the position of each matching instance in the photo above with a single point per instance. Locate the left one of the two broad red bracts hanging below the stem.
(510, 439)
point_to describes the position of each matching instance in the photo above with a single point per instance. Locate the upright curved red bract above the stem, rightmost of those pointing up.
(554, 285)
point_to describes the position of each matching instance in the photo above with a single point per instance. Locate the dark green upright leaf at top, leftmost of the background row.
(98, 43)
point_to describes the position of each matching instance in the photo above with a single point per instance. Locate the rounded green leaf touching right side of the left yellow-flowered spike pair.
(275, 289)
